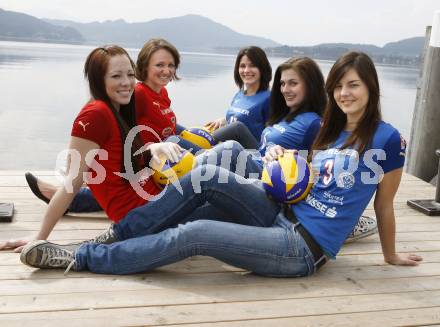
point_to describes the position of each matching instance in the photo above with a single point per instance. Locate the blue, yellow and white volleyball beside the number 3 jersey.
(288, 179)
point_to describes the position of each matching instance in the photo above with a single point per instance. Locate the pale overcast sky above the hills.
(291, 22)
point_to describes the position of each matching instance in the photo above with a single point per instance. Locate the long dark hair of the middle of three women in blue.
(315, 98)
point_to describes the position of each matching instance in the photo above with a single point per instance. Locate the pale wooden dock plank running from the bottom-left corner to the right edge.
(165, 315)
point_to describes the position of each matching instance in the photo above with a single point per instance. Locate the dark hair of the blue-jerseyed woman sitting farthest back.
(258, 57)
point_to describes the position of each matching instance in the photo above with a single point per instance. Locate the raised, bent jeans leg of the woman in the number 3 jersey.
(242, 200)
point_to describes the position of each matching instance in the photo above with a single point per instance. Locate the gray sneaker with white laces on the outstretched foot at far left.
(43, 254)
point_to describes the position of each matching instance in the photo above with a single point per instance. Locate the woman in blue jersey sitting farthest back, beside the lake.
(246, 117)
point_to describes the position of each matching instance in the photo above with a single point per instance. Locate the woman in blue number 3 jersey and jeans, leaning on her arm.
(360, 155)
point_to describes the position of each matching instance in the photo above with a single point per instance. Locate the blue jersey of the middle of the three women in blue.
(297, 134)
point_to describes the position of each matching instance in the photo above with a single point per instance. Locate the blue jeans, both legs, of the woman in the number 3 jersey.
(268, 246)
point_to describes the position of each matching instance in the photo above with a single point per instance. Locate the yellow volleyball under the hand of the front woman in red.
(167, 172)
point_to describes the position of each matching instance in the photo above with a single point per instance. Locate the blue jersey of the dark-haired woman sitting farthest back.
(252, 111)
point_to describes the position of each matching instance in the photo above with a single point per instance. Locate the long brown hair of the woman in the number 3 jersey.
(335, 119)
